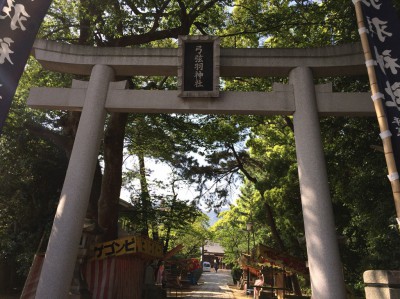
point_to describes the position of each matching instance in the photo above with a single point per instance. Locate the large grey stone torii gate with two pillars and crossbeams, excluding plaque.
(300, 98)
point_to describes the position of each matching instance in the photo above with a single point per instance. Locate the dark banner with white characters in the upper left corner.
(19, 23)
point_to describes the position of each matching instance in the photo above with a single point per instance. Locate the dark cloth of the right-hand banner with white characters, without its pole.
(383, 31)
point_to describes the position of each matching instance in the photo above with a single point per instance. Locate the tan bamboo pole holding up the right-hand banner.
(380, 112)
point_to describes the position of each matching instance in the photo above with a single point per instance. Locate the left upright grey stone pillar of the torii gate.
(56, 276)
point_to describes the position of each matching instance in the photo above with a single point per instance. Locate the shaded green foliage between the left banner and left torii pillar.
(32, 171)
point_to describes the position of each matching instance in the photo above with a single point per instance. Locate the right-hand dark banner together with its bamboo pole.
(379, 29)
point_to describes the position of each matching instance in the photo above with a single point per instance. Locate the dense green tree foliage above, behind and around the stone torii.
(210, 155)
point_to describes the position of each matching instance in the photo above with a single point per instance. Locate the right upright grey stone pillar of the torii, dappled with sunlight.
(321, 240)
